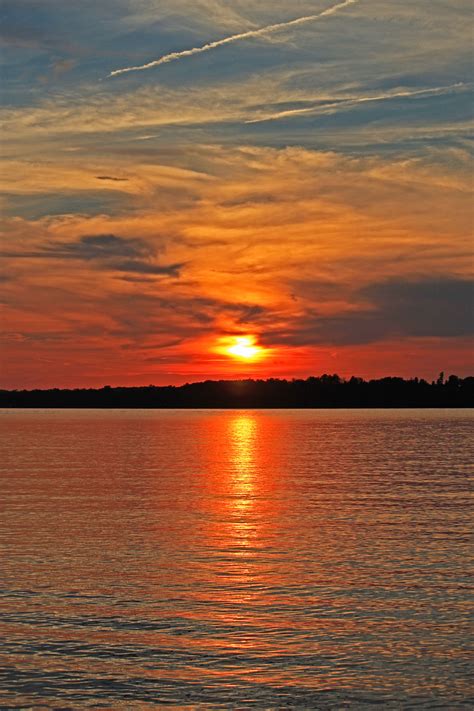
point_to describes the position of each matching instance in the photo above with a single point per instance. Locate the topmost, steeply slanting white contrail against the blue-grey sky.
(269, 29)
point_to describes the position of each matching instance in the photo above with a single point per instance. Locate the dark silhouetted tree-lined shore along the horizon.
(325, 391)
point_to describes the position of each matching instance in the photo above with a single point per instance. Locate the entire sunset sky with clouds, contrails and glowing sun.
(199, 189)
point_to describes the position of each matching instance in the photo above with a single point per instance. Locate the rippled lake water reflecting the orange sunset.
(235, 559)
